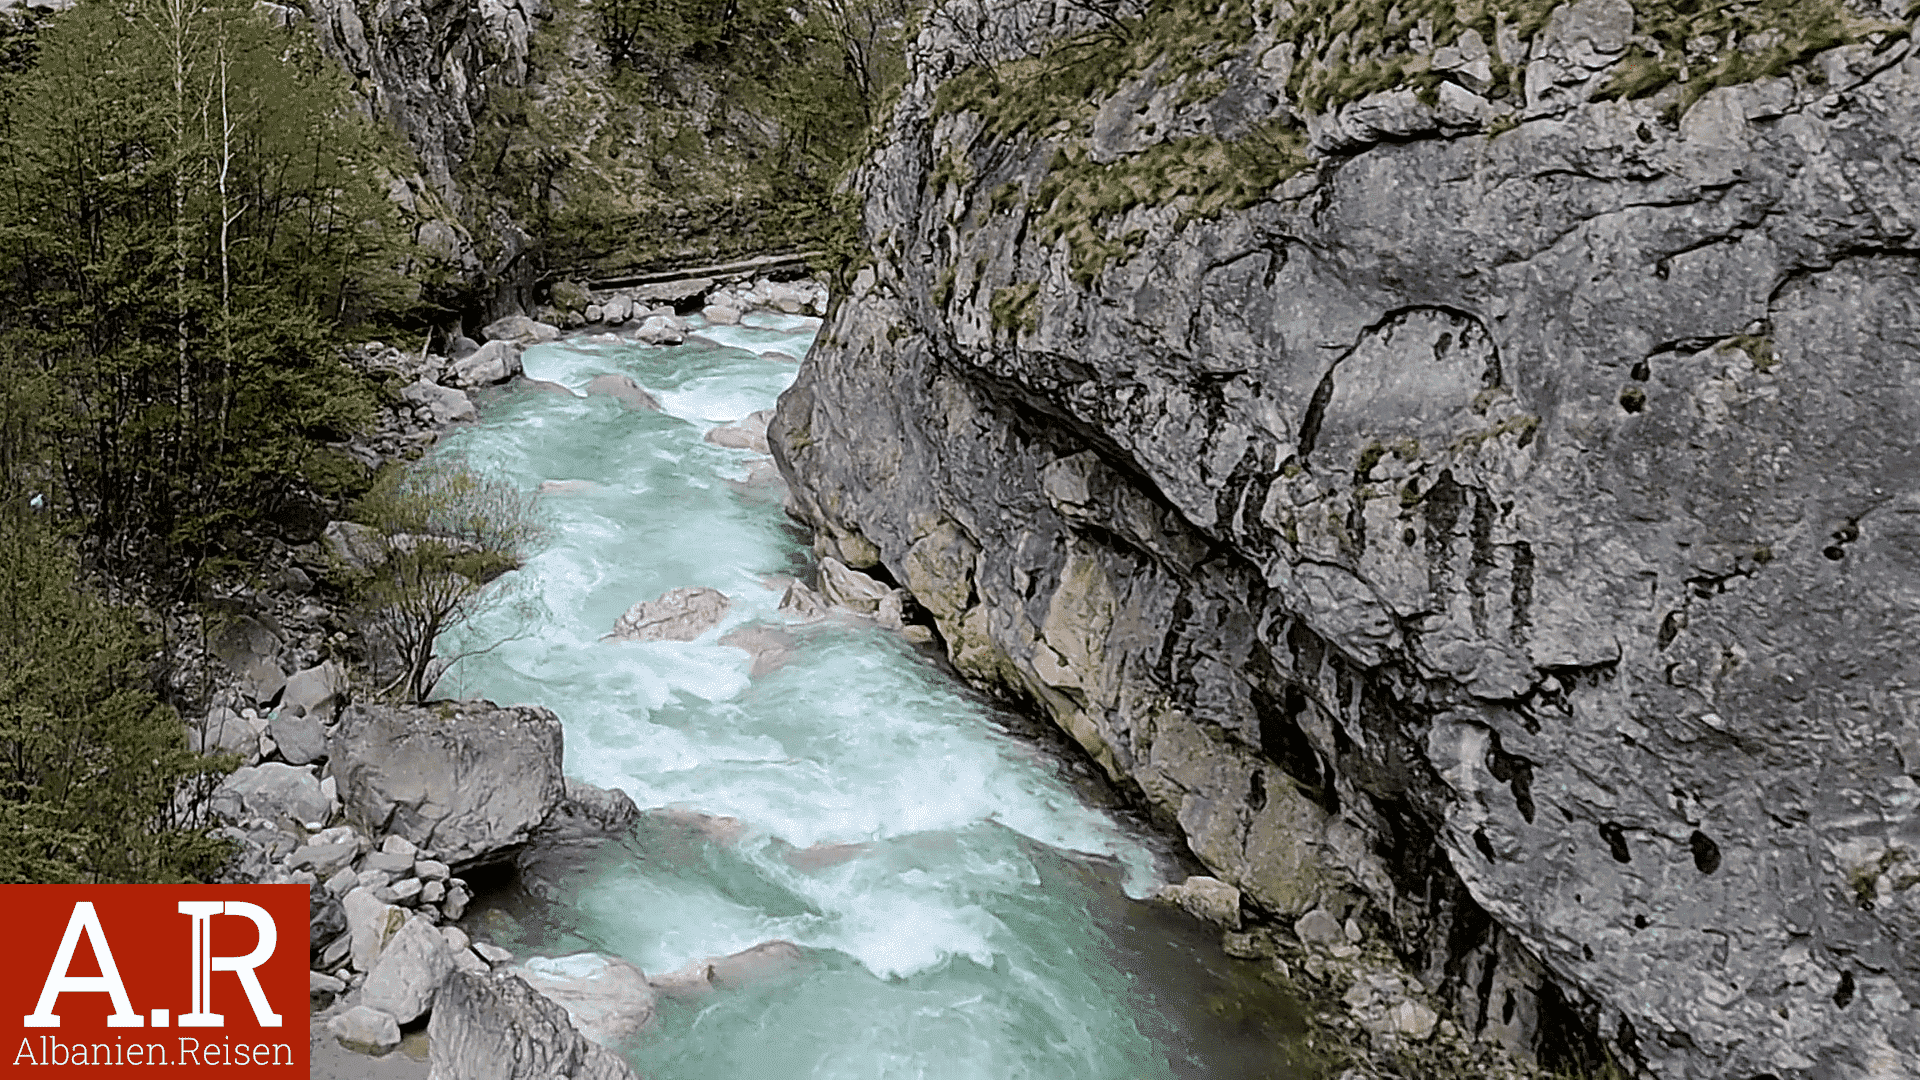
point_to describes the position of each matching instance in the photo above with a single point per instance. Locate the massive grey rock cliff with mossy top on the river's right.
(1468, 479)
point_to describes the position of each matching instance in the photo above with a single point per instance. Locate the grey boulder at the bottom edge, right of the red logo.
(496, 1027)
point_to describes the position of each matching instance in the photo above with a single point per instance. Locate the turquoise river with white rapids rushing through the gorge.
(963, 912)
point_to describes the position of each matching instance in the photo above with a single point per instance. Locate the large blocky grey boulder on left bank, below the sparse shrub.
(469, 779)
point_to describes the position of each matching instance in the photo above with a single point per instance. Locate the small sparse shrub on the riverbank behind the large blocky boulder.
(444, 533)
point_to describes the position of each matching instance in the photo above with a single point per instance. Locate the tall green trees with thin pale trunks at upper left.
(181, 233)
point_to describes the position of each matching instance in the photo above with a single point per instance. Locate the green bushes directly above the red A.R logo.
(89, 762)
